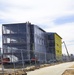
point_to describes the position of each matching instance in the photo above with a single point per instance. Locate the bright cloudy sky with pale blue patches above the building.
(51, 15)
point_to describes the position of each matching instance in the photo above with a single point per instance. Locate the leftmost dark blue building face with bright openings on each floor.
(15, 38)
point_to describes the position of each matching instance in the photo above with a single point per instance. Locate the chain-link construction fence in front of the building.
(21, 59)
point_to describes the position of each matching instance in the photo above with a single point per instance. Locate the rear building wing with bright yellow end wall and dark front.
(55, 45)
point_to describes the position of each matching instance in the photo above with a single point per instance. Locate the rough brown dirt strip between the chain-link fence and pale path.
(22, 71)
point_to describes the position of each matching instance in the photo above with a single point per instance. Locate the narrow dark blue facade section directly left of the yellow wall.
(51, 45)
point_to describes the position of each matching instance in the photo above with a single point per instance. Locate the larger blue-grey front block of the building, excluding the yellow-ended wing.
(26, 37)
